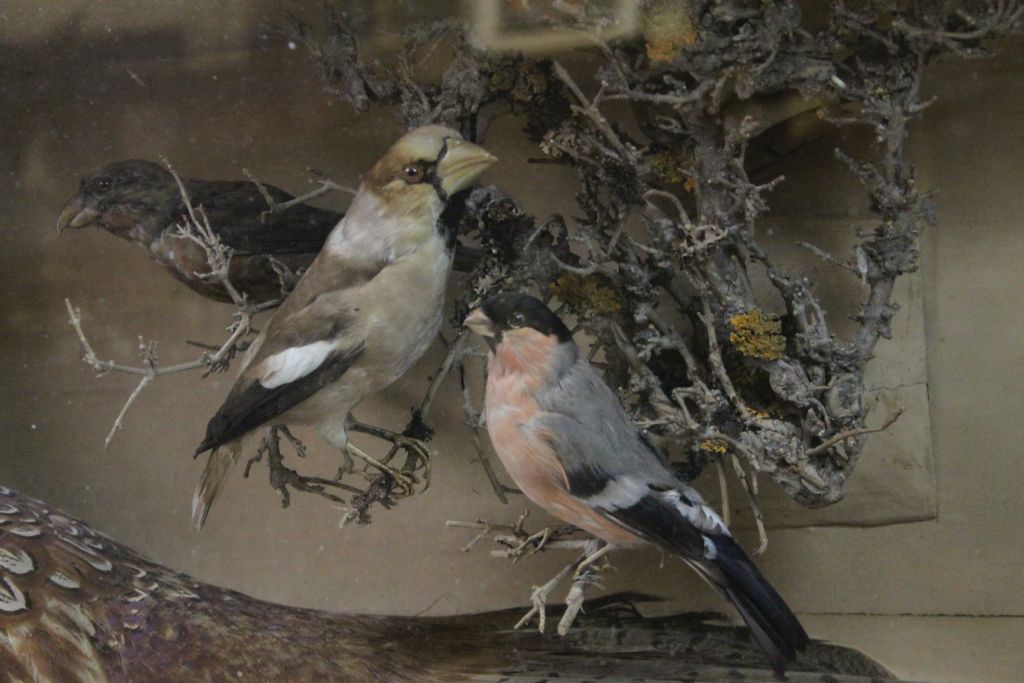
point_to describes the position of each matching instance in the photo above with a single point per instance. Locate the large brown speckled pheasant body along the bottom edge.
(78, 608)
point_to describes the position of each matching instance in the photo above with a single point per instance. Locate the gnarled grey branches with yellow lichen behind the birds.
(656, 272)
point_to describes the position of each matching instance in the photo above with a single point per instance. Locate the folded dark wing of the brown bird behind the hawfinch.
(241, 218)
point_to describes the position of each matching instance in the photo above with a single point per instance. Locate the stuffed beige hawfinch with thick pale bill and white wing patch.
(369, 307)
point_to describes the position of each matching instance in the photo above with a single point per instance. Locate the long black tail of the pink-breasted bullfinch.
(775, 626)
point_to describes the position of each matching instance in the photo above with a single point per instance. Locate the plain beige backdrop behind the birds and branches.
(86, 83)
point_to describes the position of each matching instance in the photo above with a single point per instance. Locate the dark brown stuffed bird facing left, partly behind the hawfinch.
(141, 201)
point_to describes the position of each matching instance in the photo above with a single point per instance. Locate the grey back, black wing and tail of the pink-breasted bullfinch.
(612, 468)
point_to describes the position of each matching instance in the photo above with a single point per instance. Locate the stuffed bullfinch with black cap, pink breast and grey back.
(570, 446)
